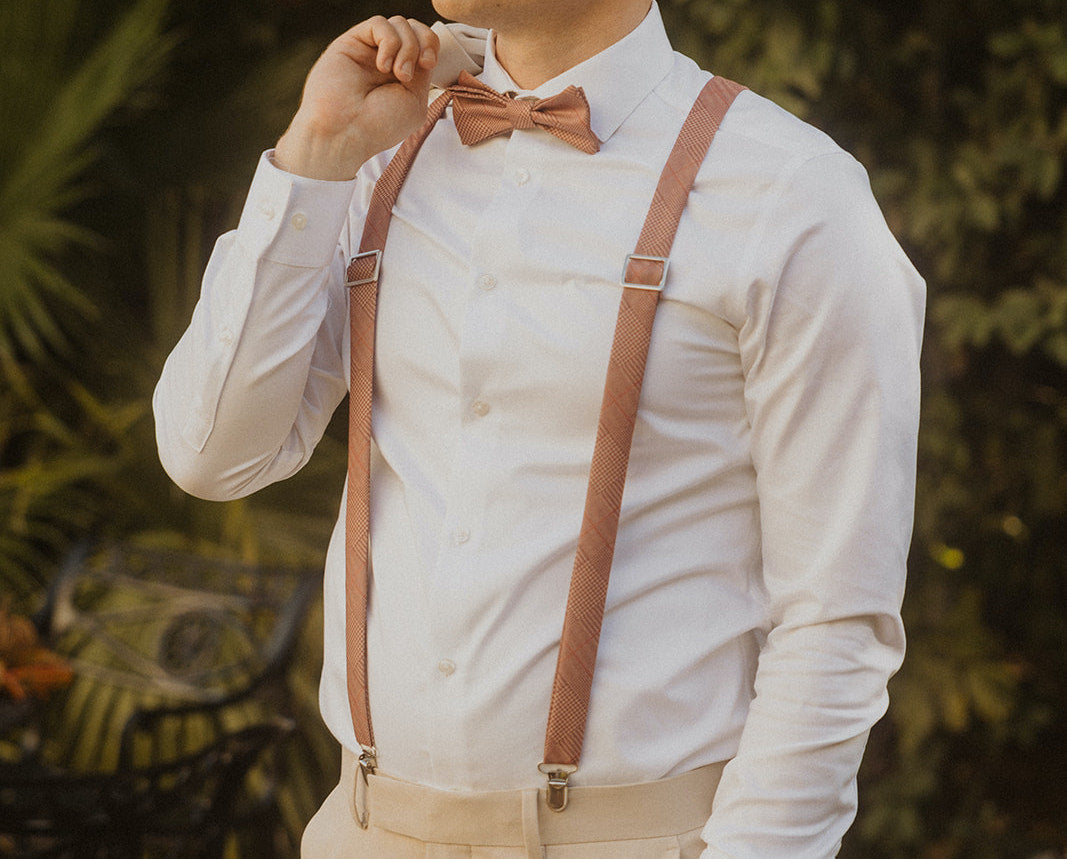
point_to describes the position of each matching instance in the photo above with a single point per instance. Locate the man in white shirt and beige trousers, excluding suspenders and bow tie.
(754, 610)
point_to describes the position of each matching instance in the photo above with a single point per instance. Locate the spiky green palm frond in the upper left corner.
(56, 112)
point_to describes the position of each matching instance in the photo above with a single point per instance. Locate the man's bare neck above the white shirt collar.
(545, 50)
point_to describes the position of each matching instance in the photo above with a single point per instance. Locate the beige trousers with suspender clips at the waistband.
(652, 821)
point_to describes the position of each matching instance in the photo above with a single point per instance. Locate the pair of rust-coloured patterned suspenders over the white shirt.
(644, 276)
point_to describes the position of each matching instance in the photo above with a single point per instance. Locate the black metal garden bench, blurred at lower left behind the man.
(181, 694)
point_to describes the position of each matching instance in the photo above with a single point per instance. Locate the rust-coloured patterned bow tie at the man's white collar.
(481, 113)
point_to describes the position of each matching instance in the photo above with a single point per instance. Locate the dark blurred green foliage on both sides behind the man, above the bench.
(129, 134)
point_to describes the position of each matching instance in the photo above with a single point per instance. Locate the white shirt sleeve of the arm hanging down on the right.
(831, 353)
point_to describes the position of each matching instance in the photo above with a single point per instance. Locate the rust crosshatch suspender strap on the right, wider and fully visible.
(646, 268)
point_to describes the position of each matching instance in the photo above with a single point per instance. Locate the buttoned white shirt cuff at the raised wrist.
(292, 219)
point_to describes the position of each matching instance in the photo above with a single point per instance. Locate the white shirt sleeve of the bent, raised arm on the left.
(250, 388)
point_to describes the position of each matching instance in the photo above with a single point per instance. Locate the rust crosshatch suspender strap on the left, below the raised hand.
(362, 278)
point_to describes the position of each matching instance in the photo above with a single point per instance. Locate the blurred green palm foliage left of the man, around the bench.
(131, 130)
